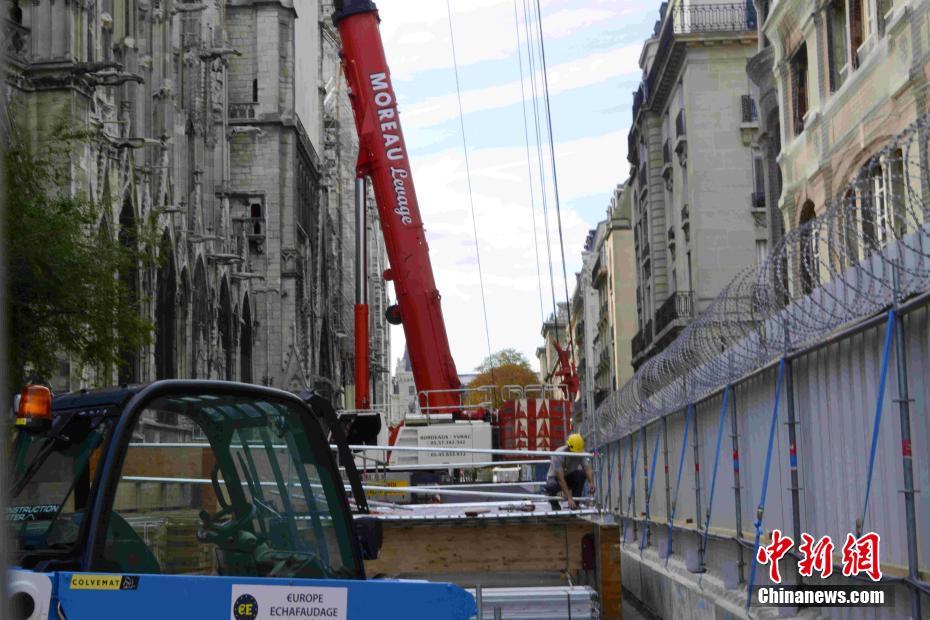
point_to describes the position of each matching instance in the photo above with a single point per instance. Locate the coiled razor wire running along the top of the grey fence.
(868, 249)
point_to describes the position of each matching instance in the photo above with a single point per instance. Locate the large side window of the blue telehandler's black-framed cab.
(228, 485)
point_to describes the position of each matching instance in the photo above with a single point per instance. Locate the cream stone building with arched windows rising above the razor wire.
(849, 75)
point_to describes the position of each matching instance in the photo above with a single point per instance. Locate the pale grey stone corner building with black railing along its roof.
(697, 217)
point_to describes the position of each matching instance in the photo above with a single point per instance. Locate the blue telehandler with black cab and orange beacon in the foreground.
(193, 499)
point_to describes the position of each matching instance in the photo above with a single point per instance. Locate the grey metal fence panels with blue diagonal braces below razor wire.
(835, 392)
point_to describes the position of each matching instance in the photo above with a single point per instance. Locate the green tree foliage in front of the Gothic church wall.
(65, 296)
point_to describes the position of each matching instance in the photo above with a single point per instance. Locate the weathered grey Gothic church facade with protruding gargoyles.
(210, 122)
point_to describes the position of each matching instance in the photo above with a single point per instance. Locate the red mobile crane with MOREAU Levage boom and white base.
(527, 422)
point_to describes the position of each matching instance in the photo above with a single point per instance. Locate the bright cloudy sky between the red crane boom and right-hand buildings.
(592, 48)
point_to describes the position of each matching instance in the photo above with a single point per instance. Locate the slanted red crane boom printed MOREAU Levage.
(383, 158)
